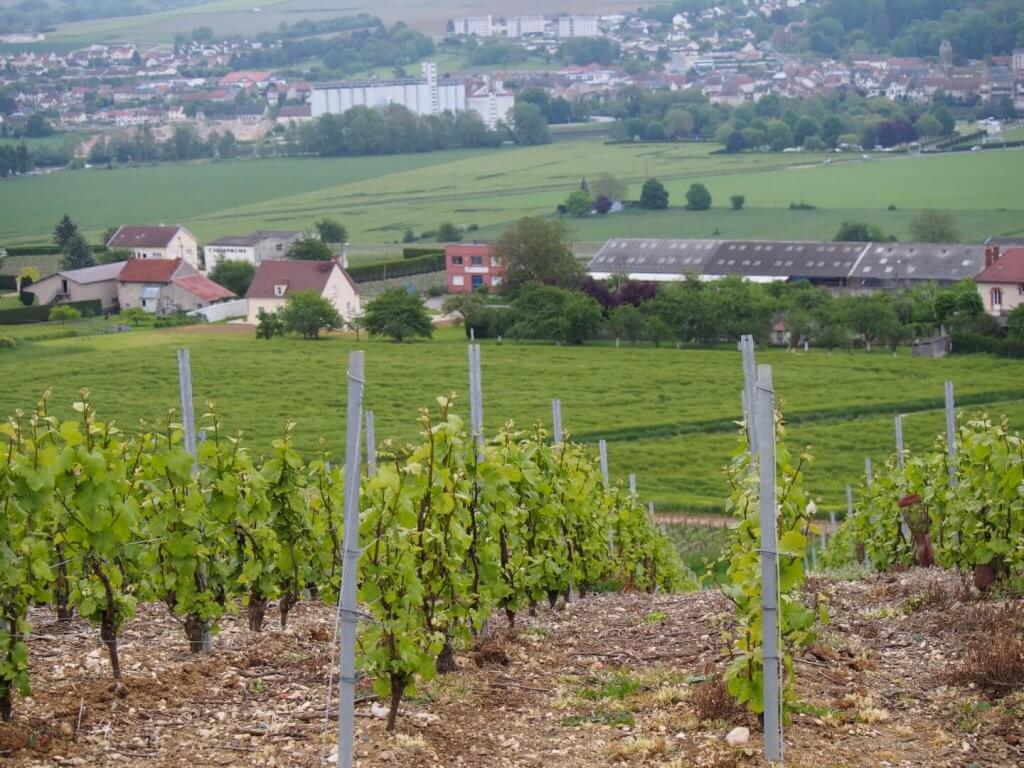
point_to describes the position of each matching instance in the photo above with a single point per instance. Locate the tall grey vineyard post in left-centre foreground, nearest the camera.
(351, 547)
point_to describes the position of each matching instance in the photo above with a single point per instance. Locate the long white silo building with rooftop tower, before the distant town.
(421, 97)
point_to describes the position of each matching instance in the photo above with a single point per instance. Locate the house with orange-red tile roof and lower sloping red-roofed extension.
(167, 286)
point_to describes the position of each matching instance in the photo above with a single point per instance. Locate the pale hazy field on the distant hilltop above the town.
(253, 17)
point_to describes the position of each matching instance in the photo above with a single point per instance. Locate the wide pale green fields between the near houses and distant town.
(379, 198)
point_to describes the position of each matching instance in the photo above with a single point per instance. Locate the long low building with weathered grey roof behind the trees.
(855, 266)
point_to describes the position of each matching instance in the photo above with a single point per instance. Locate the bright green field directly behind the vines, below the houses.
(667, 414)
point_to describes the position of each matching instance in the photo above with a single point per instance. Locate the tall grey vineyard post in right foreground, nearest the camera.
(764, 410)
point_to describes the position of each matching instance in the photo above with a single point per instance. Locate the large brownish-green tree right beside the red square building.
(538, 251)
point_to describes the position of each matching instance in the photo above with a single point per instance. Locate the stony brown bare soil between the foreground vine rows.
(611, 680)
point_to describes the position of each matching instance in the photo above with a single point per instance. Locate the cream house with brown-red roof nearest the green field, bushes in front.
(277, 280)
